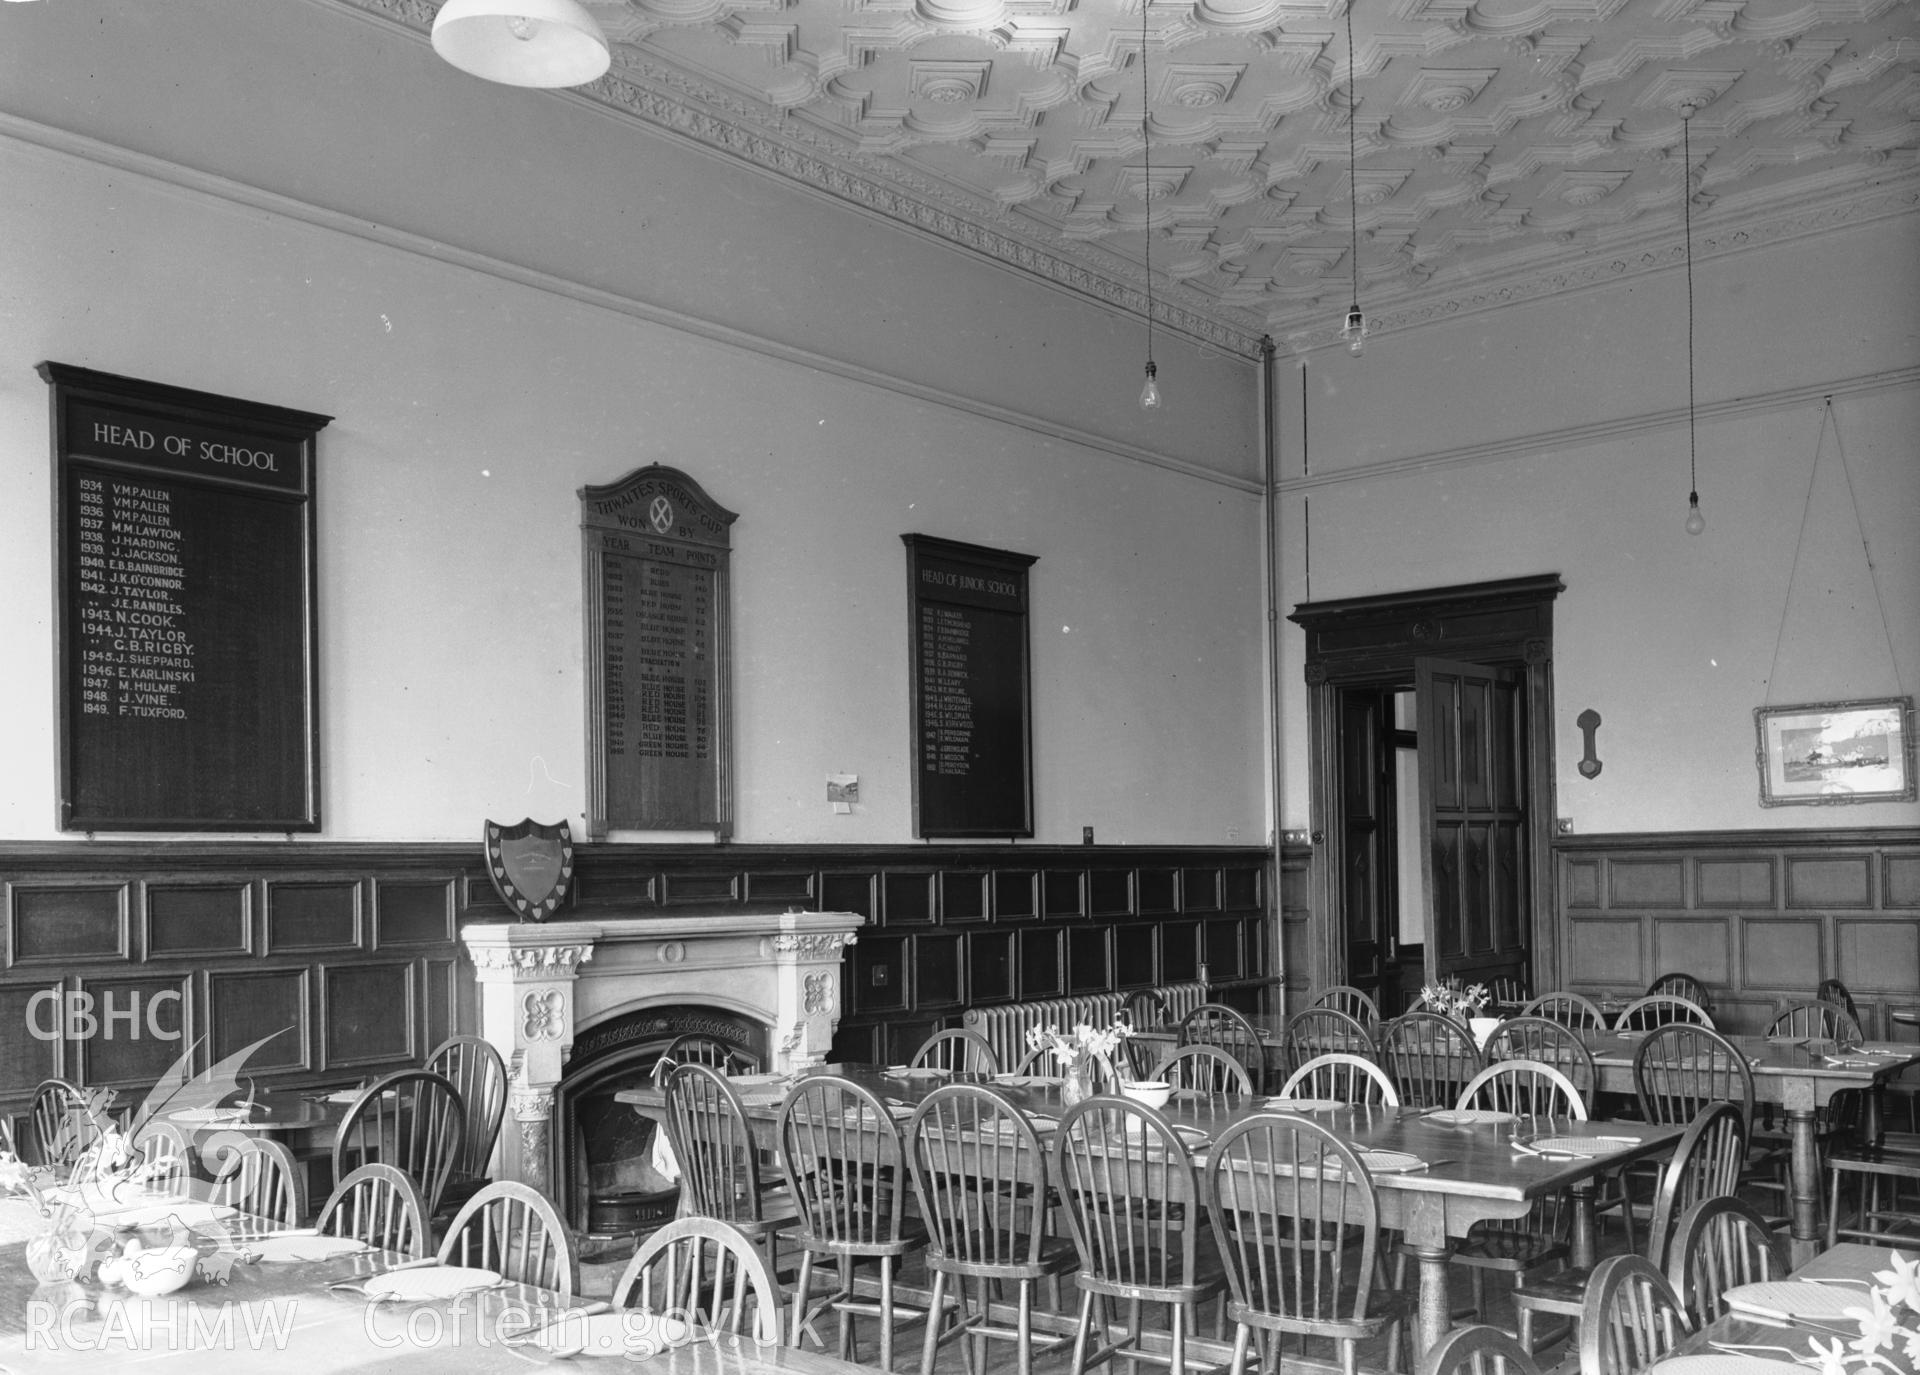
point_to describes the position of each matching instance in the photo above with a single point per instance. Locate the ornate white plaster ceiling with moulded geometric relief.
(1504, 147)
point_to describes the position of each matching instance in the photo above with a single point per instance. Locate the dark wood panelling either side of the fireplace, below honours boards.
(350, 953)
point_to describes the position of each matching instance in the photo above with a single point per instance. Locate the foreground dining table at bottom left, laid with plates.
(251, 1315)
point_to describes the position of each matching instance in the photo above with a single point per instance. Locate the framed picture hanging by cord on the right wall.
(1836, 752)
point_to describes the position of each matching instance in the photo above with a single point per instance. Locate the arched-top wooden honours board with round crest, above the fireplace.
(658, 656)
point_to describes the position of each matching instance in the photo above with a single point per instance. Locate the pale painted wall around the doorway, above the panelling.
(1520, 443)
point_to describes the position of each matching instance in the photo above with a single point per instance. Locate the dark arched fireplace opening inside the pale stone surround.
(606, 1149)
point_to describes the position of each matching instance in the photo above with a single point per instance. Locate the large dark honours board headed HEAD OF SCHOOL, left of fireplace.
(185, 608)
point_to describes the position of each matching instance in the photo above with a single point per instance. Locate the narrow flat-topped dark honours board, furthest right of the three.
(972, 727)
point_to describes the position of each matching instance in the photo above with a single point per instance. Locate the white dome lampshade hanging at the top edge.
(523, 43)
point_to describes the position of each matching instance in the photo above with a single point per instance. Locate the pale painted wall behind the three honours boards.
(471, 408)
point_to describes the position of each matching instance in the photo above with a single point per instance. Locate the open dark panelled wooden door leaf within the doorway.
(1474, 819)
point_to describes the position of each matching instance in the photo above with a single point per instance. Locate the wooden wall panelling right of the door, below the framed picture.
(1760, 917)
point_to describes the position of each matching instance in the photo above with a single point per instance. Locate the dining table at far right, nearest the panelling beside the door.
(1788, 1076)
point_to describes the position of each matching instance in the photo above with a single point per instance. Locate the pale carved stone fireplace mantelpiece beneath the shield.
(544, 982)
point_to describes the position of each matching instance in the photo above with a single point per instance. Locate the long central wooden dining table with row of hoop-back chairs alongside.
(1468, 1174)
